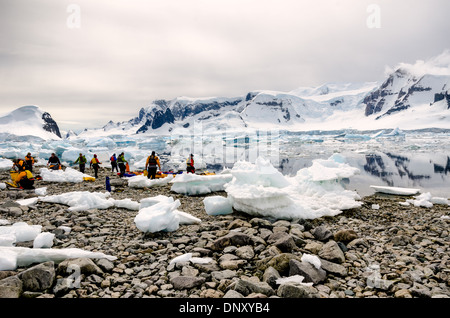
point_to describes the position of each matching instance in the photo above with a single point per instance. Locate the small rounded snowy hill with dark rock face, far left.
(29, 121)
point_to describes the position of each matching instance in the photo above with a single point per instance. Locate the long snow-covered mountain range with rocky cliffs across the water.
(405, 99)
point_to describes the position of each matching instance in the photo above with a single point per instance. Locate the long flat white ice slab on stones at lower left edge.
(12, 257)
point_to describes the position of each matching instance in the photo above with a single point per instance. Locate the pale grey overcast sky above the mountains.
(89, 61)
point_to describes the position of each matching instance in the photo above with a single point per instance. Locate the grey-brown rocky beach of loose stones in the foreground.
(394, 251)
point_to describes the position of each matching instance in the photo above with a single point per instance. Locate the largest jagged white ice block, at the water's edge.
(260, 189)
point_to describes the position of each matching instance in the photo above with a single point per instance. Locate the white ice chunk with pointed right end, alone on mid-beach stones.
(161, 214)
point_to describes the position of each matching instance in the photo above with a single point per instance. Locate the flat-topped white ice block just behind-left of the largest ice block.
(192, 184)
